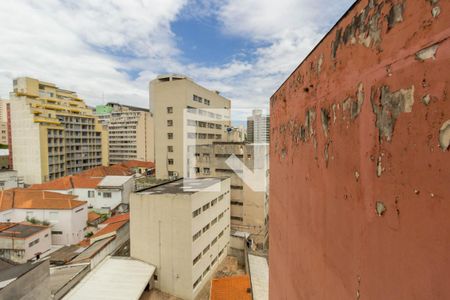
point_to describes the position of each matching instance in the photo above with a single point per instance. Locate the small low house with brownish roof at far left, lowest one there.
(21, 242)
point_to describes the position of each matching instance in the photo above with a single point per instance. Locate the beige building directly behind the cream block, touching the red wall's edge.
(249, 207)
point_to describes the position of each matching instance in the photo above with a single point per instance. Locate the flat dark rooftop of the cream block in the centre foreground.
(183, 186)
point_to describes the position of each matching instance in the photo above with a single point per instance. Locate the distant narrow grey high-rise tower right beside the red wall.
(258, 127)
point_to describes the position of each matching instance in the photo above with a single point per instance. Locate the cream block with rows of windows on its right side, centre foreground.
(183, 228)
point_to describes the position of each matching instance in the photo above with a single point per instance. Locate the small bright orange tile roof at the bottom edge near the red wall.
(231, 288)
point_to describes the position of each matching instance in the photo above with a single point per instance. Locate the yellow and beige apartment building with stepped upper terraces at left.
(54, 133)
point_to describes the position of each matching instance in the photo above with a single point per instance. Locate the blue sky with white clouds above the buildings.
(109, 50)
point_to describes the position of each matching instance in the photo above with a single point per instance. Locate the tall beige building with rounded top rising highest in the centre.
(185, 114)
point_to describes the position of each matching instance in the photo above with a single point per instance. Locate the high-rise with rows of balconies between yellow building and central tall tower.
(130, 131)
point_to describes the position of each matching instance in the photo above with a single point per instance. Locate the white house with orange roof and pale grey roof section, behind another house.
(102, 193)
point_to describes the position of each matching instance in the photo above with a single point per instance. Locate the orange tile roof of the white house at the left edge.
(35, 199)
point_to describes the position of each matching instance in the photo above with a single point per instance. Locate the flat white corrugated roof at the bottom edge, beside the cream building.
(114, 278)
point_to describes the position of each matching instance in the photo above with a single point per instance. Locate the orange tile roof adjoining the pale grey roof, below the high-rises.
(67, 183)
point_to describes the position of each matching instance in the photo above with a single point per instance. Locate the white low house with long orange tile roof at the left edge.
(66, 216)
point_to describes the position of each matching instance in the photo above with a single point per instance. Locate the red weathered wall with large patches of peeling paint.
(360, 165)
